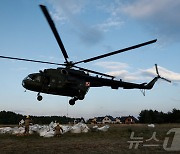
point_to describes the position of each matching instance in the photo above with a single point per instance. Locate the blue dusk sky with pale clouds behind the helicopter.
(90, 28)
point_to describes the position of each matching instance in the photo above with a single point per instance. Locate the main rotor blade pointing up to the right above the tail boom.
(116, 52)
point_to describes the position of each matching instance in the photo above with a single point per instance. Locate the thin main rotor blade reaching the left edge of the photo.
(31, 60)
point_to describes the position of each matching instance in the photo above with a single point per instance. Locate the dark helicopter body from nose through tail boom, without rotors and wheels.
(73, 83)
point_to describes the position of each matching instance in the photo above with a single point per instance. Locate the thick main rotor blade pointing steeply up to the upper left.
(54, 30)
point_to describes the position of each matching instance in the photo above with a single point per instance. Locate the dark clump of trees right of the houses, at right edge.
(150, 116)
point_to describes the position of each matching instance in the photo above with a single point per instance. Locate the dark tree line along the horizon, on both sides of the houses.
(145, 116)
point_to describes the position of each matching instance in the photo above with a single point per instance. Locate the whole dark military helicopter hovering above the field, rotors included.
(74, 81)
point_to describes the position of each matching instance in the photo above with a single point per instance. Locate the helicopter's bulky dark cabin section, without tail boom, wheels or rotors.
(60, 81)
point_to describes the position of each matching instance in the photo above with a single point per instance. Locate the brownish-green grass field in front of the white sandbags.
(115, 140)
